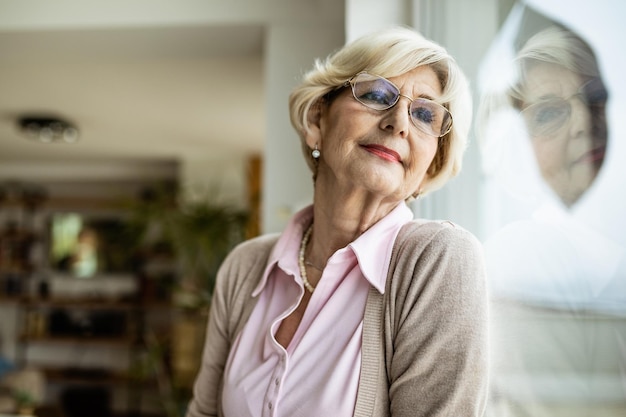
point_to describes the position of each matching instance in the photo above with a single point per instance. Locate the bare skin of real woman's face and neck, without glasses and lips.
(366, 184)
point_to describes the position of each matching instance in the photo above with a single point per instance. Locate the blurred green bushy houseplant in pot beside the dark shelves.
(199, 234)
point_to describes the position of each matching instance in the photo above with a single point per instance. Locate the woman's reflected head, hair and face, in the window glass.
(563, 100)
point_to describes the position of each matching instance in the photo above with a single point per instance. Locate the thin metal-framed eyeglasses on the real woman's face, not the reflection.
(378, 93)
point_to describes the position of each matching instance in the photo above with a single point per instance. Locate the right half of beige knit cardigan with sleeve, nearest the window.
(433, 320)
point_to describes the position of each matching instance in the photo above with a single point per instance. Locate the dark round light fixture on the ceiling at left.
(48, 129)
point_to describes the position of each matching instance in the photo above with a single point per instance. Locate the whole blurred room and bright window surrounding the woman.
(141, 139)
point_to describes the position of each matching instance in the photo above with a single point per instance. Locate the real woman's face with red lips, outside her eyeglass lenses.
(379, 152)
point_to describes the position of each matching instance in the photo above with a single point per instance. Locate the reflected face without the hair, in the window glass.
(562, 116)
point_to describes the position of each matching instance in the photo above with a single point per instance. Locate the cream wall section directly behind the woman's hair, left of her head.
(290, 50)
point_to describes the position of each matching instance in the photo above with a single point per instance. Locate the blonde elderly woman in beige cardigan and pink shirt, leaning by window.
(356, 309)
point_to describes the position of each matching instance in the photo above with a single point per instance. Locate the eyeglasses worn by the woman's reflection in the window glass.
(547, 116)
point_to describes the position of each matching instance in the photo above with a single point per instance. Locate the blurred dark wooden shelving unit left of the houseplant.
(85, 333)
